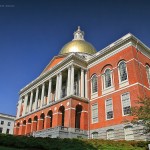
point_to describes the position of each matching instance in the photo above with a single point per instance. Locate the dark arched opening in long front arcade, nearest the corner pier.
(61, 116)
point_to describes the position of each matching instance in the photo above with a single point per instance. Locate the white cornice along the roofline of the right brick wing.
(117, 46)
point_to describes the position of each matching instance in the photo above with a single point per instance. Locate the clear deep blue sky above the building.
(32, 32)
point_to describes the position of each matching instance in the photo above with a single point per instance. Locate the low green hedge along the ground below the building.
(31, 143)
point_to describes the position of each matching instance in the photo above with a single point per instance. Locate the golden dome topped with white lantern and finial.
(78, 44)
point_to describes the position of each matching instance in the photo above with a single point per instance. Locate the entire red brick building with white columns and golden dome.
(84, 93)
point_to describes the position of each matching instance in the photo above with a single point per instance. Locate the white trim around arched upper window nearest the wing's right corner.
(125, 82)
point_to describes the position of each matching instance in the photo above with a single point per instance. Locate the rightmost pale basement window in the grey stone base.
(128, 131)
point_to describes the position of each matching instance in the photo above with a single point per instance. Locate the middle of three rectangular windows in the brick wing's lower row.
(109, 109)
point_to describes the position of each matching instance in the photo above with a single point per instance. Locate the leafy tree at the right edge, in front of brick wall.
(141, 113)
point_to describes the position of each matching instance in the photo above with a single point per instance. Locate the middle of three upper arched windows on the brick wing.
(108, 78)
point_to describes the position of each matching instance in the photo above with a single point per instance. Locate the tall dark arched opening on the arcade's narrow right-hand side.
(78, 116)
